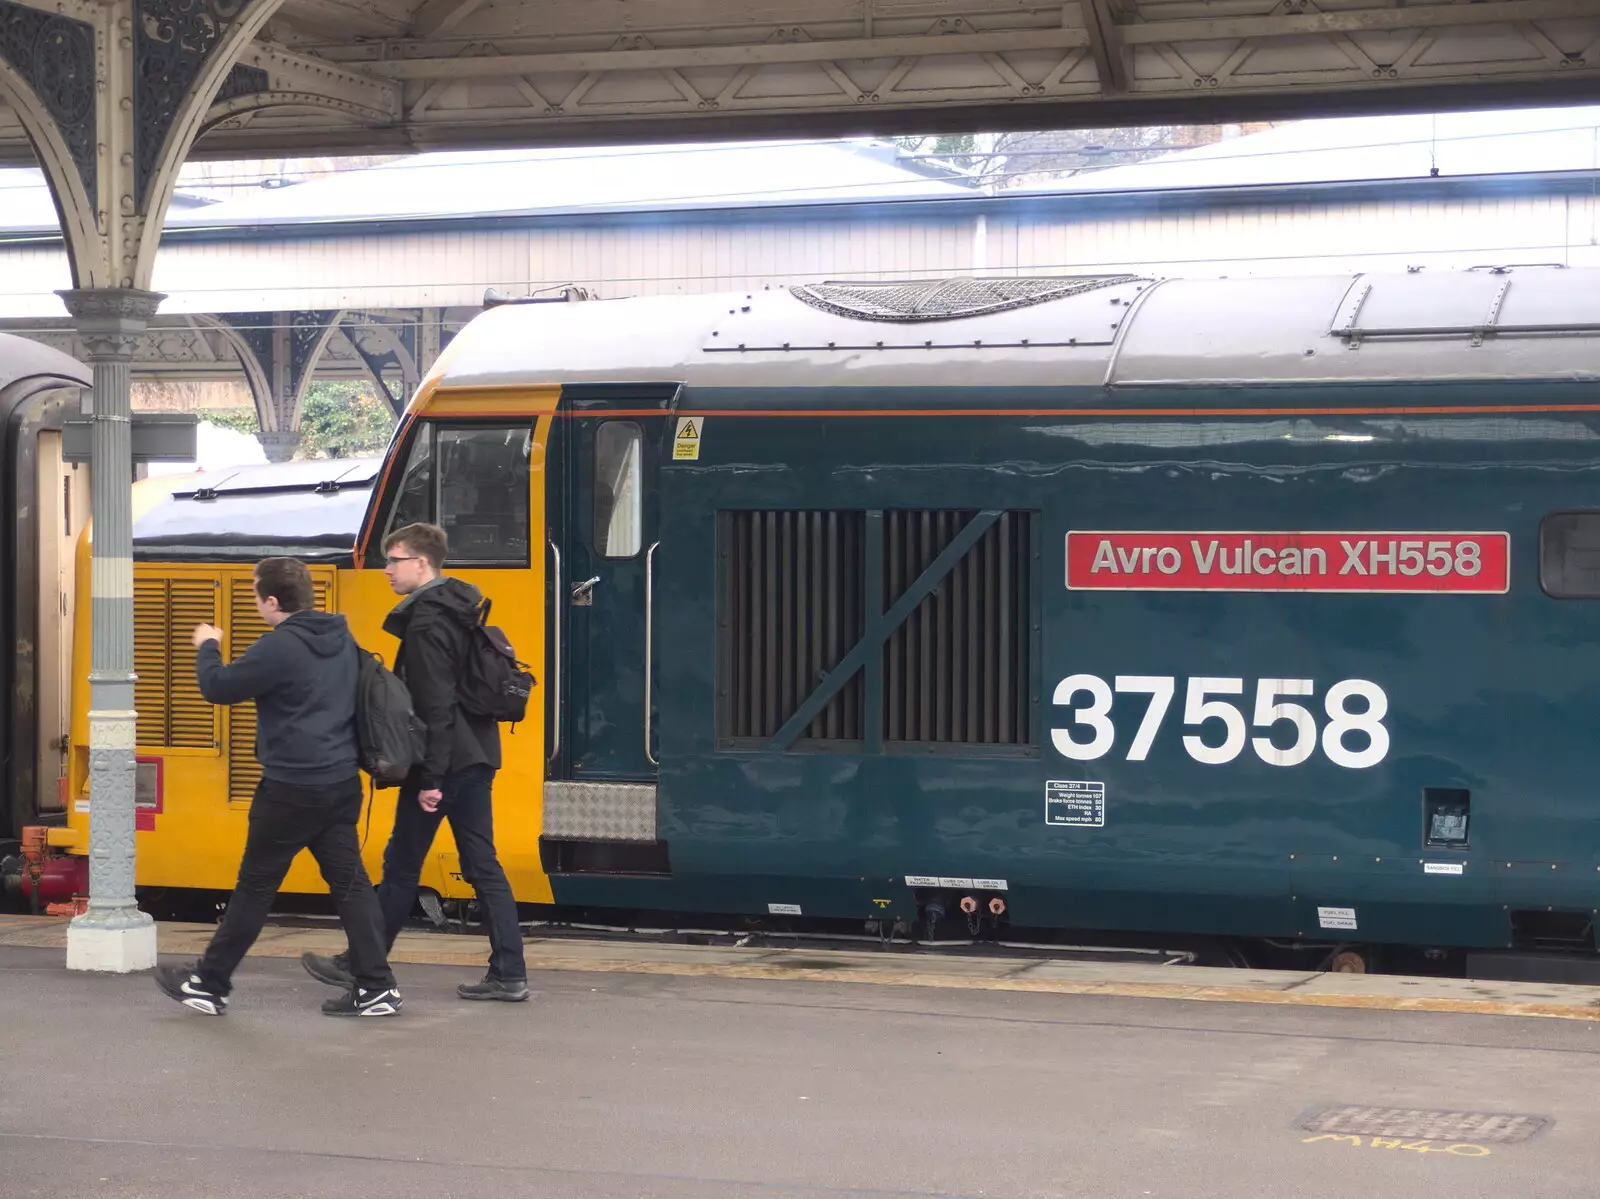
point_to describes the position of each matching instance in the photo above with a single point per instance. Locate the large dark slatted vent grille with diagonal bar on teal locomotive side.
(948, 665)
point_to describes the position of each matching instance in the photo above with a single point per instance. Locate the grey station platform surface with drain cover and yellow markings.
(742, 1072)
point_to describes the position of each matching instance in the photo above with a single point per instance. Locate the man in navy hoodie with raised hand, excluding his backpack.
(303, 676)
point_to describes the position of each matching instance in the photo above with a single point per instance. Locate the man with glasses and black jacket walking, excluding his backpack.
(457, 777)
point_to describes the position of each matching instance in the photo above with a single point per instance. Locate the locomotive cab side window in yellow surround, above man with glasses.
(473, 481)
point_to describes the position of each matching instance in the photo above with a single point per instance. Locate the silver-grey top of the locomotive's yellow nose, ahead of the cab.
(308, 510)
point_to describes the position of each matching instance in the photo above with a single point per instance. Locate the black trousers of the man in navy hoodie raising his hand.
(284, 820)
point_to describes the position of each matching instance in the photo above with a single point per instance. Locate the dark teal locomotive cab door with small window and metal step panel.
(604, 558)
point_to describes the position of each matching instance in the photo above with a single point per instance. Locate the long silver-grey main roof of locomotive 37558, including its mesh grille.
(1066, 331)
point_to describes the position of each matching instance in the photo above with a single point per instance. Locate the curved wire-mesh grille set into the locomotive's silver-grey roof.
(945, 299)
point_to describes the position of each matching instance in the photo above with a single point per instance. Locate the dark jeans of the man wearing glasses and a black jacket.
(471, 816)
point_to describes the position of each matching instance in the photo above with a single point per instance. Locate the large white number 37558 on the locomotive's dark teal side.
(1092, 732)
